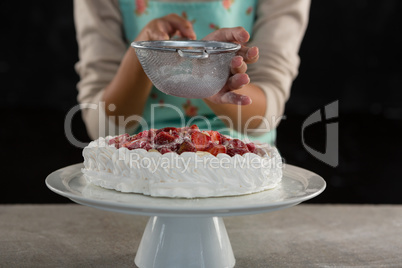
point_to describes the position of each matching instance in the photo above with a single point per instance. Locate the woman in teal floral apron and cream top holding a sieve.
(251, 102)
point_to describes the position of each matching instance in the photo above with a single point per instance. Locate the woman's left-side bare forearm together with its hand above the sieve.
(130, 87)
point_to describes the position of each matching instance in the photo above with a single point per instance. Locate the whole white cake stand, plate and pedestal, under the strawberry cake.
(186, 232)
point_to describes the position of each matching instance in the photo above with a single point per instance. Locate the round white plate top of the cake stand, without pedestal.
(297, 186)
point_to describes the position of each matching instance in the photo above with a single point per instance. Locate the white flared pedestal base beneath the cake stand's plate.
(185, 242)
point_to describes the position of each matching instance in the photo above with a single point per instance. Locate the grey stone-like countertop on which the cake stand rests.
(302, 236)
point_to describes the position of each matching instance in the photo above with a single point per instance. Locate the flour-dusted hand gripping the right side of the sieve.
(238, 66)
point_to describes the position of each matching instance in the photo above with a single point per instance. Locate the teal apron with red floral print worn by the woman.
(163, 110)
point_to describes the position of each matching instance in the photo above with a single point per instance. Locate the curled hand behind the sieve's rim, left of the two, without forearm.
(166, 27)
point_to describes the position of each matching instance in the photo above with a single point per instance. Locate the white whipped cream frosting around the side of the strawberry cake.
(187, 175)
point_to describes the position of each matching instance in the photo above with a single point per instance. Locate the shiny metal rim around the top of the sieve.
(211, 47)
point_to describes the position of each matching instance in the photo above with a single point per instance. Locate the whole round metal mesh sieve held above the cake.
(190, 69)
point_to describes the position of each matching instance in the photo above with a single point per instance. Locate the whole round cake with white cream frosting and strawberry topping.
(181, 162)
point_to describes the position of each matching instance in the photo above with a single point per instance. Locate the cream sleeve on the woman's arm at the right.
(278, 32)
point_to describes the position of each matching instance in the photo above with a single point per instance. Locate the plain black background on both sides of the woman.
(351, 53)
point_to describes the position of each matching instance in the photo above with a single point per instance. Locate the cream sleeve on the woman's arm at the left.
(101, 48)
